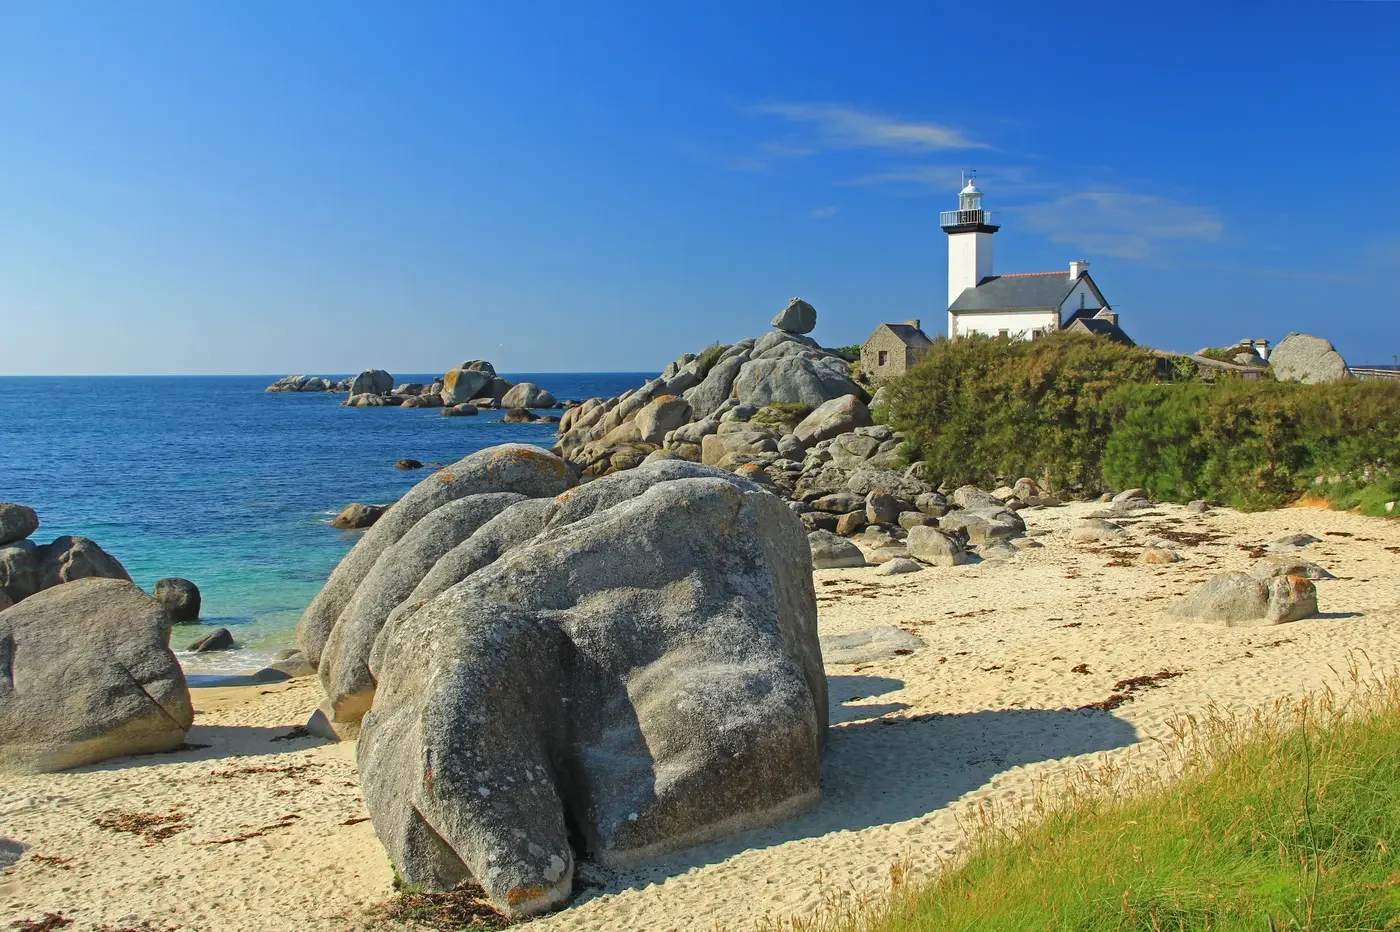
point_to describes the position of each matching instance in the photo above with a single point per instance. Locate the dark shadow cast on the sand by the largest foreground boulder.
(895, 769)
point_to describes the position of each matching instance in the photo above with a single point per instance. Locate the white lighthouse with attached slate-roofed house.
(1024, 306)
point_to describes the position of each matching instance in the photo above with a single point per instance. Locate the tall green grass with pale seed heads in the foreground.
(1280, 821)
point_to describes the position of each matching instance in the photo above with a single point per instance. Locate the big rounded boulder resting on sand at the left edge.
(87, 674)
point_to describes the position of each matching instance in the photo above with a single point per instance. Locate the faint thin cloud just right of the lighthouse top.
(1122, 225)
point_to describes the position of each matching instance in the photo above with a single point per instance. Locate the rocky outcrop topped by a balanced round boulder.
(762, 388)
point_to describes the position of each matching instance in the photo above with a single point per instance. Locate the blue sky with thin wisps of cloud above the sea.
(559, 187)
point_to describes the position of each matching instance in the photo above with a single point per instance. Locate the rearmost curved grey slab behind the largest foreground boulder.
(512, 468)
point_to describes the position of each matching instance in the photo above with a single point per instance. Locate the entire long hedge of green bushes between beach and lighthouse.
(1087, 415)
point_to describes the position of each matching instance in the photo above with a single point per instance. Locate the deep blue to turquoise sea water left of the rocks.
(212, 479)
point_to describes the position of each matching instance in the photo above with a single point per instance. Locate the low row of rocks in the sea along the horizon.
(470, 388)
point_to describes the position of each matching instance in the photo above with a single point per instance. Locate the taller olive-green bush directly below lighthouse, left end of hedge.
(985, 409)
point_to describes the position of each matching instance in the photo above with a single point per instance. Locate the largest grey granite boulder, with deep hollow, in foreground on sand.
(639, 677)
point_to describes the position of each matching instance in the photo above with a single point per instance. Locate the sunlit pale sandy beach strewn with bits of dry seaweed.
(989, 709)
